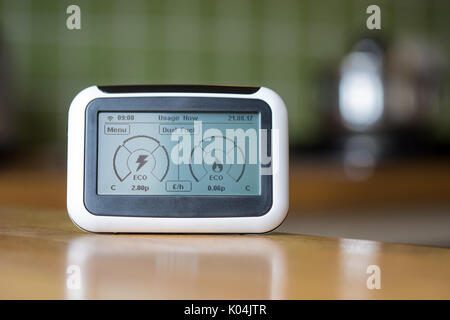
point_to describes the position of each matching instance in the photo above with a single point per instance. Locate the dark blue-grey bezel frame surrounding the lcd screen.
(183, 206)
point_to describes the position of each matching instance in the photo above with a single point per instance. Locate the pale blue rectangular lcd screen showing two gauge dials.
(178, 153)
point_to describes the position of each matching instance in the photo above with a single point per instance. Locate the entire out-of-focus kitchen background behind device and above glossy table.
(369, 110)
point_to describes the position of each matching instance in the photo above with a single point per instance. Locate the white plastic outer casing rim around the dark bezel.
(126, 224)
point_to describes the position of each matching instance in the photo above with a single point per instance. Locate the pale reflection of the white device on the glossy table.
(177, 267)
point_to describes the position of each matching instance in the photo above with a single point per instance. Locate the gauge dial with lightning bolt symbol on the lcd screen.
(141, 154)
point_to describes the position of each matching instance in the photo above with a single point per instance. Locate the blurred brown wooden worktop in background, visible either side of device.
(314, 185)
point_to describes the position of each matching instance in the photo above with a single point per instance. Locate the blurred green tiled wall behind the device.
(281, 44)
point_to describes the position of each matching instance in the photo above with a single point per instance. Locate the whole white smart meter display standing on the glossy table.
(177, 159)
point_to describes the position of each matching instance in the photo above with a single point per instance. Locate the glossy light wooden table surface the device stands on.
(44, 256)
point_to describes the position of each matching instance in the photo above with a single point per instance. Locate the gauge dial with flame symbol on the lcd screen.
(231, 164)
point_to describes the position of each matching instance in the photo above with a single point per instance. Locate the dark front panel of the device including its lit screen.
(177, 157)
